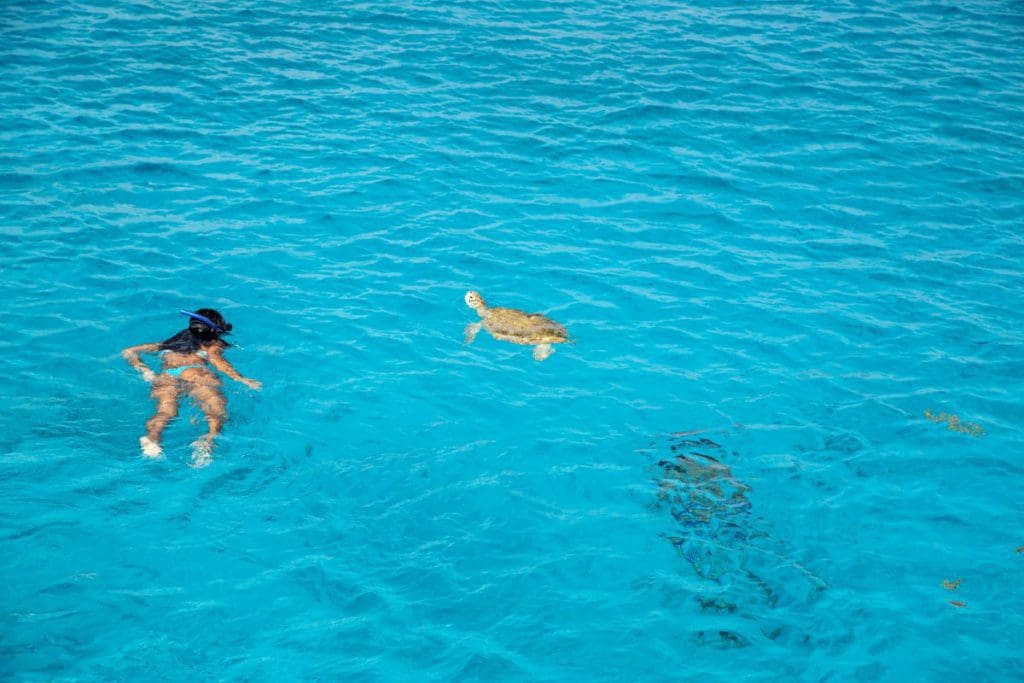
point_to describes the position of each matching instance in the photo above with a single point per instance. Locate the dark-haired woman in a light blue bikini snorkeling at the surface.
(187, 359)
